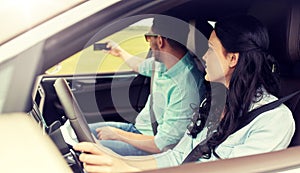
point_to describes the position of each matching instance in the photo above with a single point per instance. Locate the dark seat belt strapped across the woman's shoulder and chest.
(197, 152)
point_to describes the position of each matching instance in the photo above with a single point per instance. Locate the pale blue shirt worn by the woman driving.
(270, 131)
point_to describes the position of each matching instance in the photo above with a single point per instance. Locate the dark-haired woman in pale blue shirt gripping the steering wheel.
(238, 59)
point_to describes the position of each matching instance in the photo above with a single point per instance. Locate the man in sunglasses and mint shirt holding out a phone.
(176, 84)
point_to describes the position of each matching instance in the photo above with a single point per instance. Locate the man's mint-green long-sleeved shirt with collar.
(173, 92)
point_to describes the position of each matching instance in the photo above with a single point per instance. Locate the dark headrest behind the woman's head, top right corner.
(282, 19)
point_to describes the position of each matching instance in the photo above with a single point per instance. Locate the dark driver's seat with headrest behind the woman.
(283, 23)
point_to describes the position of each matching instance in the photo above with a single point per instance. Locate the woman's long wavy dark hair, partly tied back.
(256, 68)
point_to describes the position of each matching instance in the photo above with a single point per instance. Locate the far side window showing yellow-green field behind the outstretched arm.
(89, 60)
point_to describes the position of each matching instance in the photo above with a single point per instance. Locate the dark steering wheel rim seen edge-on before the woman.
(73, 111)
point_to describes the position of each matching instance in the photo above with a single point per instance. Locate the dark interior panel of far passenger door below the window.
(107, 97)
